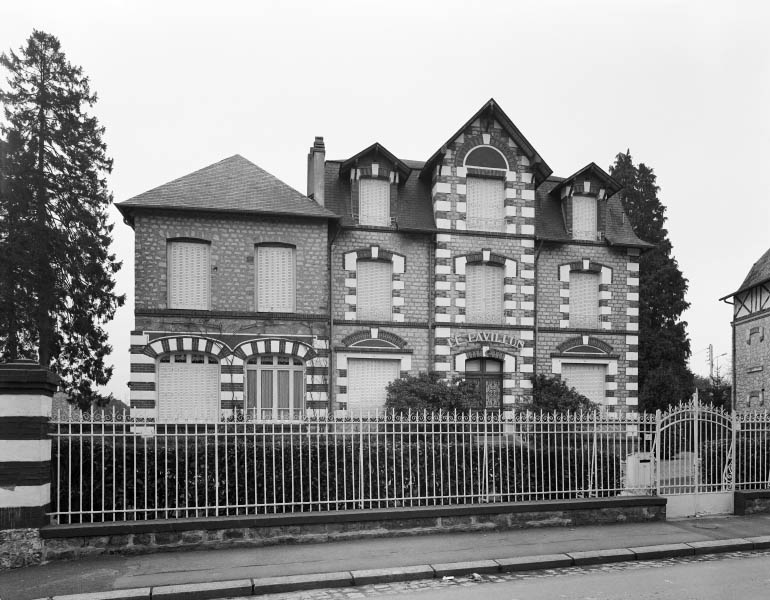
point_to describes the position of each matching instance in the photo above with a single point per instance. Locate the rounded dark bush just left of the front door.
(427, 391)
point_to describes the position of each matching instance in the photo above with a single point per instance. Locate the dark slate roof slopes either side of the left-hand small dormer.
(415, 210)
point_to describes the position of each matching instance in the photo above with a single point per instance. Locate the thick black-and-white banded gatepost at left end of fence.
(26, 391)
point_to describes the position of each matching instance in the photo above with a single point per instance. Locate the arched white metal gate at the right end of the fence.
(694, 452)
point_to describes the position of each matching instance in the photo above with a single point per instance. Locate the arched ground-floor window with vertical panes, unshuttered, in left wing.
(275, 387)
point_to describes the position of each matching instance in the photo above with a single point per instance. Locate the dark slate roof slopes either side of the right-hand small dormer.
(549, 221)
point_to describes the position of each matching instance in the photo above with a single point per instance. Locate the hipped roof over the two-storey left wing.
(233, 185)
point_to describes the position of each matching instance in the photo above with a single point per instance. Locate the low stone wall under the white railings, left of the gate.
(64, 542)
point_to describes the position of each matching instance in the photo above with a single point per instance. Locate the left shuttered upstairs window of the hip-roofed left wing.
(189, 274)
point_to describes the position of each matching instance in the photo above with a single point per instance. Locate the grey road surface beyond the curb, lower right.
(737, 575)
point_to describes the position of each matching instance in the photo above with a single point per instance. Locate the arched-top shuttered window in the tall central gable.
(485, 191)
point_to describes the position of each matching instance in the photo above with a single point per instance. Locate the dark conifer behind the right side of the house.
(664, 347)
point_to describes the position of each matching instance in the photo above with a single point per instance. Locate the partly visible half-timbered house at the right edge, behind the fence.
(751, 346)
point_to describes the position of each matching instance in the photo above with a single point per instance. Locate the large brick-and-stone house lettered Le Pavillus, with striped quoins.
(475, 263)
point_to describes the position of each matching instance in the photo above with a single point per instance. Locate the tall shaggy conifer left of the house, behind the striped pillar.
(58, 273)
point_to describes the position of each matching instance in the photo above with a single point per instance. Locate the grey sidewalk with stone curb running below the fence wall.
(388, 556)
